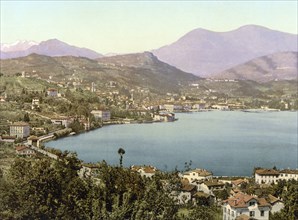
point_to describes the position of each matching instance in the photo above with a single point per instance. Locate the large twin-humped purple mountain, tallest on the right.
(204, 52)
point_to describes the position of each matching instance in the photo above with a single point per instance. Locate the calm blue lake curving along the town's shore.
(228, 143)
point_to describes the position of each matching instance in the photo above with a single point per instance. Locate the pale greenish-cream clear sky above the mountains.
(135, 26)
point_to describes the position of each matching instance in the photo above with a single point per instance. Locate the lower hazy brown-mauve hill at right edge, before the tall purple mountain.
(277, 66)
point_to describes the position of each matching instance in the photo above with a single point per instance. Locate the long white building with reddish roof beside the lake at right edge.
(268, 176)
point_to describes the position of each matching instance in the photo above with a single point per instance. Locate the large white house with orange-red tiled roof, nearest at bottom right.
(245, 205)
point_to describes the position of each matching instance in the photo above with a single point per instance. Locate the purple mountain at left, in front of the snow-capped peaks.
(52, 47)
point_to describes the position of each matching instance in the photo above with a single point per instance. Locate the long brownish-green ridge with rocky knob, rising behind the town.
(140, 70)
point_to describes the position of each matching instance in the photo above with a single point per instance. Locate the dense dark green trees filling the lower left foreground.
(48, 189)
